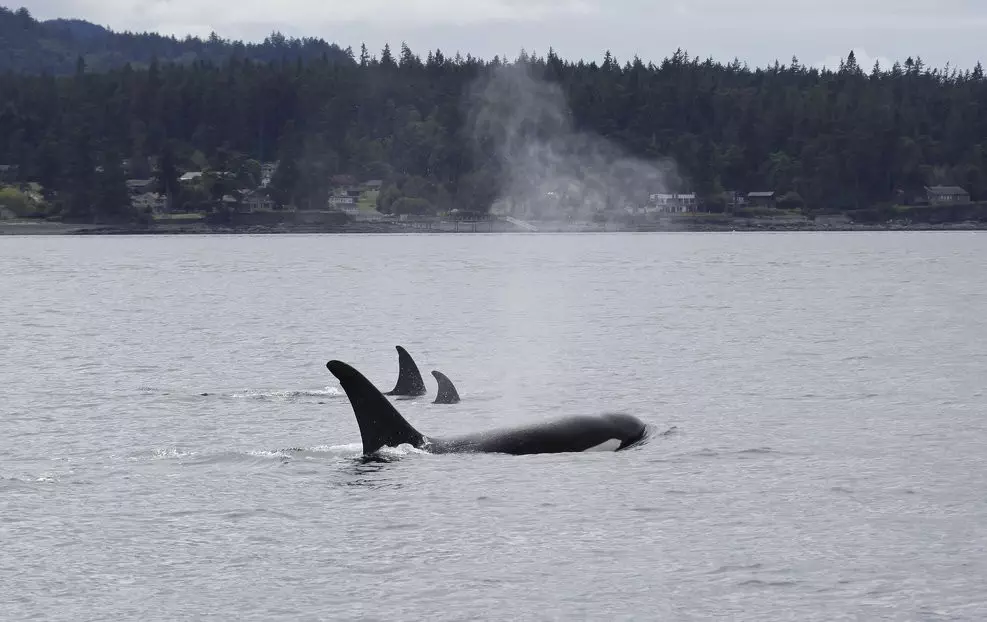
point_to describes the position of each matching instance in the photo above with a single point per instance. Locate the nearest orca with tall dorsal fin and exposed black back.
(381, 425)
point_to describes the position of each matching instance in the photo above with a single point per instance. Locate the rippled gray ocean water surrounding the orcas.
(173, 447)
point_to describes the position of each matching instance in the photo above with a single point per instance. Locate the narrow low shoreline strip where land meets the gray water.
(25, 228)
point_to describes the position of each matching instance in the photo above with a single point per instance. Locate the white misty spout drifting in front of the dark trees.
(548, 169)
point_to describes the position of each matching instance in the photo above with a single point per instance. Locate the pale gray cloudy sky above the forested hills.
(755, 31)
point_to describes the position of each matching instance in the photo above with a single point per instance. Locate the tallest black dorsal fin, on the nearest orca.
(381, 425)
